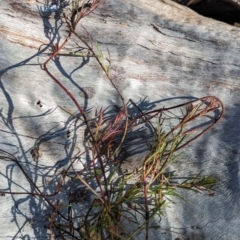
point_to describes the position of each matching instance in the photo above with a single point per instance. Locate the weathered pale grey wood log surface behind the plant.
(188, 56)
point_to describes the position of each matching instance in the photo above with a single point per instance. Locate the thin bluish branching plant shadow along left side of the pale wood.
(32, 167)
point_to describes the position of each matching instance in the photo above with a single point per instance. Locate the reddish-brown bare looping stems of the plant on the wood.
(103, 142)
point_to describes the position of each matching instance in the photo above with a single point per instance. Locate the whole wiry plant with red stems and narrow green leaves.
(119, 198)
